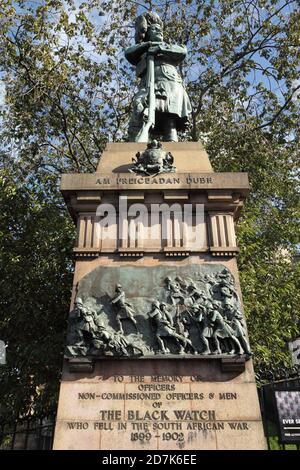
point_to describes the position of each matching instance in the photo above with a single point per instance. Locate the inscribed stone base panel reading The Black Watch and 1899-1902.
(158, 412)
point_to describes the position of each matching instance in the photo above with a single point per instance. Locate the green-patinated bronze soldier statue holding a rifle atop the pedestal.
(161, 106)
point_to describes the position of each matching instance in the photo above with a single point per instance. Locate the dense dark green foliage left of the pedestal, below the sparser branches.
(36, 236)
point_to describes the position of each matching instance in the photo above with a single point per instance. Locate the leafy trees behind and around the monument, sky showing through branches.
(68, 90)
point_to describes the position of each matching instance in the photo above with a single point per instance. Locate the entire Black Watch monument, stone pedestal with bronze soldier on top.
(157, 354)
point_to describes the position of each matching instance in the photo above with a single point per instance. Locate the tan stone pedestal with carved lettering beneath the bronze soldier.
(152, 400)
